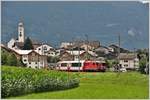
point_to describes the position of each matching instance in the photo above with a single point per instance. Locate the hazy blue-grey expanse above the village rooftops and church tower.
(54, 22)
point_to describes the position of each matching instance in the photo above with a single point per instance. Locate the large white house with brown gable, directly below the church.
(32, 59)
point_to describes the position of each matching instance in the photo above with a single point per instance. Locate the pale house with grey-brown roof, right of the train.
(129, 61)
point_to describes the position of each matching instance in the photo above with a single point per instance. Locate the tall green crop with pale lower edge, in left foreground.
(18, 81)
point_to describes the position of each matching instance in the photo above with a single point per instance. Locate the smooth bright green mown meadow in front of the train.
(101, 86)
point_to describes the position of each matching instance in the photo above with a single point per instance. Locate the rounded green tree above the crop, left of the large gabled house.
(11, 60)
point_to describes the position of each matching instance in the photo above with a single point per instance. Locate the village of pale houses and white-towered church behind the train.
(43, 55)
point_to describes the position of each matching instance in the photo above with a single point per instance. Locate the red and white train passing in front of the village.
(83, 65)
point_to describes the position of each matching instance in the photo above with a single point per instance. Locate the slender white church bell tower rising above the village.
(21, 37)
